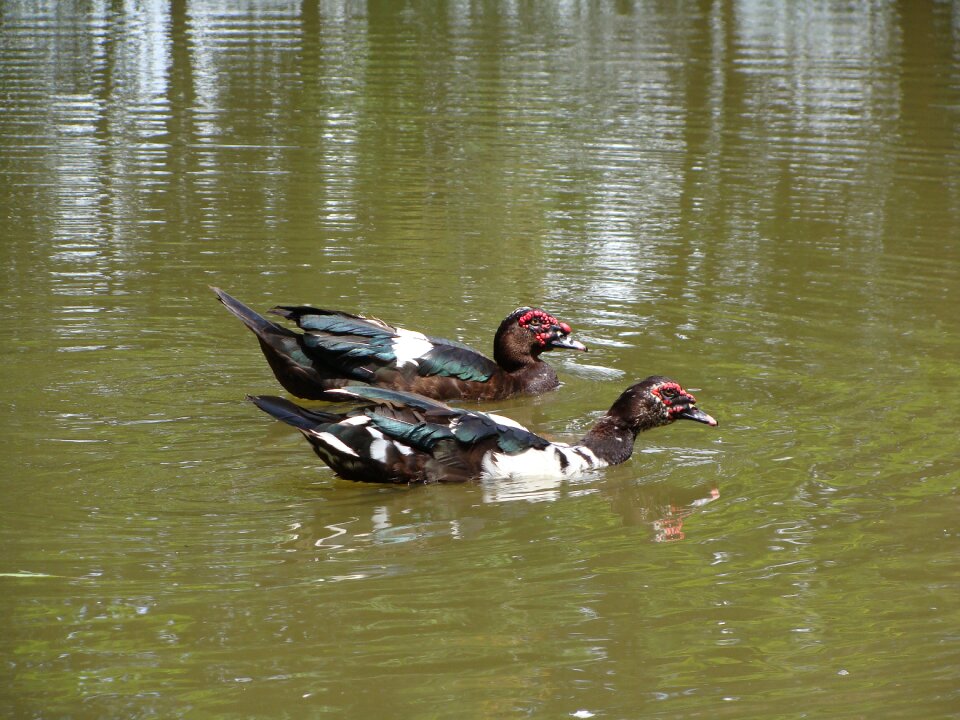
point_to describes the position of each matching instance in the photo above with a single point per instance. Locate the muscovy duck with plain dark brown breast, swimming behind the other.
(336, 348)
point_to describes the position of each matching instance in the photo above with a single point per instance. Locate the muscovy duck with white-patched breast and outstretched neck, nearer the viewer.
(401, 437)
